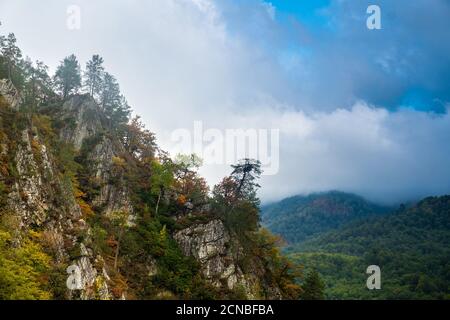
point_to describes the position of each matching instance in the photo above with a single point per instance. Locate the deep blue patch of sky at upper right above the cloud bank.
(404, 65)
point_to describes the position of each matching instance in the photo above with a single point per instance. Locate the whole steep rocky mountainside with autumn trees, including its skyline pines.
(92, 208)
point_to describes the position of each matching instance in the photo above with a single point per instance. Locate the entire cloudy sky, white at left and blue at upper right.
(357, 110)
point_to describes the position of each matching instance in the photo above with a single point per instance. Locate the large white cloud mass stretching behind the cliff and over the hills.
(179, 61)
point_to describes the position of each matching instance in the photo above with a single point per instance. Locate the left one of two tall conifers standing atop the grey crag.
(68, 76)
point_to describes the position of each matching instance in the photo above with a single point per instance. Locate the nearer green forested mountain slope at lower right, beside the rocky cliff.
(411, 246)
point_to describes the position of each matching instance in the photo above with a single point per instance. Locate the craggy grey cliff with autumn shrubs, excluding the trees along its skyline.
(67, 174)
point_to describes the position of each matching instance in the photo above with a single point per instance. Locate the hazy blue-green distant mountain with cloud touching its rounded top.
(300, 217)
